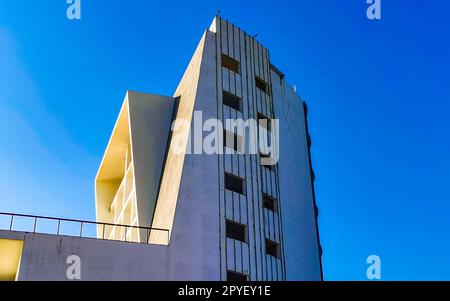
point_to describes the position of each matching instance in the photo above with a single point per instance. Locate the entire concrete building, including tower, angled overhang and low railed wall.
(178, 215)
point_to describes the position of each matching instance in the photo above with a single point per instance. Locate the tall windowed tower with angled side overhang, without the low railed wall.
(228, 214)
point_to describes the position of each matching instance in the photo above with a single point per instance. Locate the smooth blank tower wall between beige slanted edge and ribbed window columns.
(196, 225)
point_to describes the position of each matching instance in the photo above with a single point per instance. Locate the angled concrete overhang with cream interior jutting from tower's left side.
(127, 182)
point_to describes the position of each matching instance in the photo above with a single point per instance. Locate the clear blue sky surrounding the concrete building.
(378, 93)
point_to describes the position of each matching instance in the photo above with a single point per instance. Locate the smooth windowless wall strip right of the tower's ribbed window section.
(299, 222)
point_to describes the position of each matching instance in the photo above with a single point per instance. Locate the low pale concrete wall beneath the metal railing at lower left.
(44, 258)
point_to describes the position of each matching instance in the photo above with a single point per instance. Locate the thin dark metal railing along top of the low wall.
(13, 217)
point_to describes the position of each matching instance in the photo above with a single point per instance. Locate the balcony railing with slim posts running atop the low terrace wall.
(74, 227)
